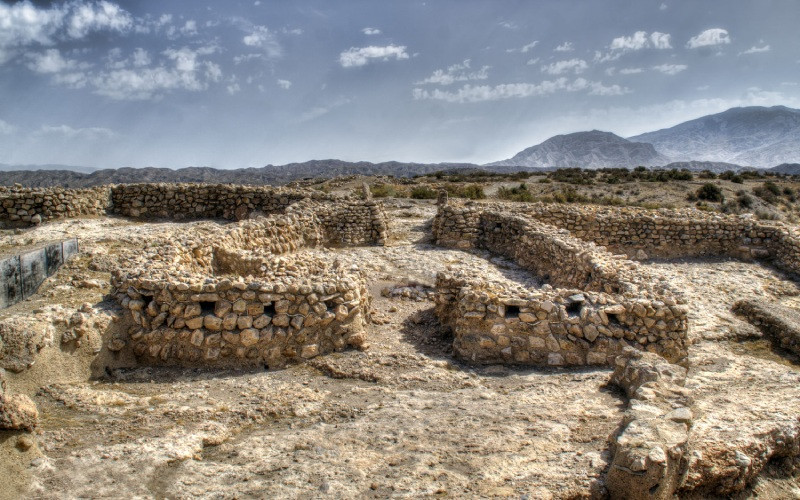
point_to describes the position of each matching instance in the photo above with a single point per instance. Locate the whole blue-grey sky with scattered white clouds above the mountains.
(230, 84)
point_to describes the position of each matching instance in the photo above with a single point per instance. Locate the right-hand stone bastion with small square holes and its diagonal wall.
(602, 302)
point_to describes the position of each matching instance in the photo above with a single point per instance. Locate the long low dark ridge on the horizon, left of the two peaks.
(270, 174)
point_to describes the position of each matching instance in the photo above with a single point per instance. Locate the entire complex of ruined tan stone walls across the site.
(264, 288)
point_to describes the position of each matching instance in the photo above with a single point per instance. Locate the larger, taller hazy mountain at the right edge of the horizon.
(754, 135)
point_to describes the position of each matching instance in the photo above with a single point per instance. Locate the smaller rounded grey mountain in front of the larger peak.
(593, 149)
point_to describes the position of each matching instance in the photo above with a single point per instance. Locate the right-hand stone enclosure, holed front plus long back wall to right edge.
(595, 303)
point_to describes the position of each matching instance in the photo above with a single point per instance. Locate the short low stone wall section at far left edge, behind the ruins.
(22, 207)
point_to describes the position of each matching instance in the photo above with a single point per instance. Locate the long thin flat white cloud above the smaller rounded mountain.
(482, 93)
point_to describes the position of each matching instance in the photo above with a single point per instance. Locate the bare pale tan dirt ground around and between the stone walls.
(402, 418)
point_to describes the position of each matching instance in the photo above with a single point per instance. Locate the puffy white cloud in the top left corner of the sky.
(24, 25)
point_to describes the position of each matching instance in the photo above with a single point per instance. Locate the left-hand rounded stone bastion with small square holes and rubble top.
(252, 294)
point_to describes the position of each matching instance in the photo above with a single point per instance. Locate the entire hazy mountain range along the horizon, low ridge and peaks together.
(732, 140)
